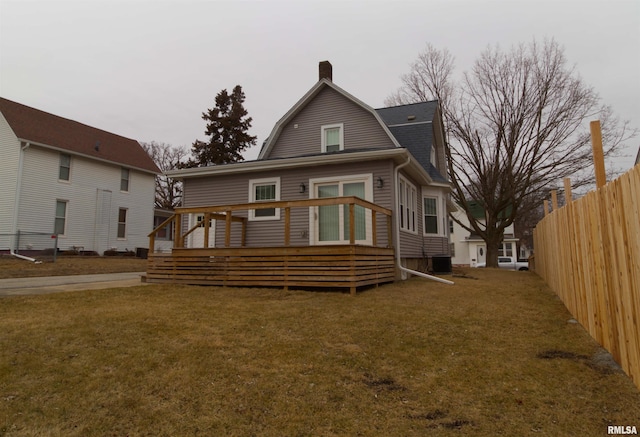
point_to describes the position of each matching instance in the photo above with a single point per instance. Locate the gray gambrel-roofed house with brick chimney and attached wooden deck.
(335, 177)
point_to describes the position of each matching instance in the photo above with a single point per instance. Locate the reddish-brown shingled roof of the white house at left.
(51, 131)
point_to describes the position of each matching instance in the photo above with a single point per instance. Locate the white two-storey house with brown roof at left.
(92, 188)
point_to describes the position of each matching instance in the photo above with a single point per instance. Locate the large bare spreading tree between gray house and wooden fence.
(516, 125)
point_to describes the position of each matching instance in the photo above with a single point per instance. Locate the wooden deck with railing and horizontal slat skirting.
(343, 266)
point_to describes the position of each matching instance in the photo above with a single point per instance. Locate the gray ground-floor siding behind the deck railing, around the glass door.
(234, 189)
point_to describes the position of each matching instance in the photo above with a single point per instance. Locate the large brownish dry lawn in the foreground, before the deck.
(488, 356)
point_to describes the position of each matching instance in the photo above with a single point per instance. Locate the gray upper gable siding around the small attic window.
(361, 128)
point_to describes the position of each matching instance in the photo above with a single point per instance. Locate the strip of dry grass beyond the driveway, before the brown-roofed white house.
(70, 265)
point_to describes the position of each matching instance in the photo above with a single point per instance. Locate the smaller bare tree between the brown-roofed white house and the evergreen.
(166, 157)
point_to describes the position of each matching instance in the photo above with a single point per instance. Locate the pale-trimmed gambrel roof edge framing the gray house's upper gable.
(319, 86)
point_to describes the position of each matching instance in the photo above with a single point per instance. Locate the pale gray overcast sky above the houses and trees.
(148, 69)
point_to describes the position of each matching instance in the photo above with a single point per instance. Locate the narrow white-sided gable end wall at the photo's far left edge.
(10, 150)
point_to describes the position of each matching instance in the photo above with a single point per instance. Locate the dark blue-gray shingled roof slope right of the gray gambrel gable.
(412, 125)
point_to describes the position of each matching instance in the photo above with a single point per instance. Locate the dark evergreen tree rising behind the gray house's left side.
(227, 126)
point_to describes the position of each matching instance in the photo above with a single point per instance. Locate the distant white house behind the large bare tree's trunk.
(468, 249)
